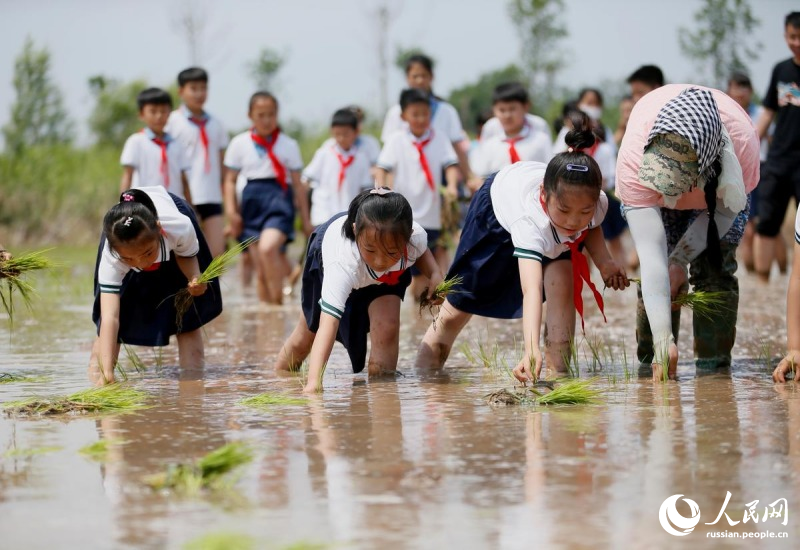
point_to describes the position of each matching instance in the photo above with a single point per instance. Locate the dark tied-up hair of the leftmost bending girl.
(127, 220)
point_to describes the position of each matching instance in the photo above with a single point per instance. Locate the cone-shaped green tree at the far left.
(38, 116)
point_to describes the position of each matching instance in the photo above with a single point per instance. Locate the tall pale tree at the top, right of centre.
(541, 30)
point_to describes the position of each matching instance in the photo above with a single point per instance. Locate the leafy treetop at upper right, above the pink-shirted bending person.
(719, 45)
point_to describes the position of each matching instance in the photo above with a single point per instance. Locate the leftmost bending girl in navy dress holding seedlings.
(151, 249)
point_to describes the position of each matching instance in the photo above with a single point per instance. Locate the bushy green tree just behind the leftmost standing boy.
(115, 115)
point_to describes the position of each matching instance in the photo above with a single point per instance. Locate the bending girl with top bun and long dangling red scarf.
(521, 244)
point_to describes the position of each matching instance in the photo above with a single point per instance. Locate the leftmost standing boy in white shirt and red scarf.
(153, 157)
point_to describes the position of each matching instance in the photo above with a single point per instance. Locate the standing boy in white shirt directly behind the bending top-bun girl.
(518, 140)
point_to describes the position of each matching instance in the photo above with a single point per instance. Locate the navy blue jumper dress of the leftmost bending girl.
(147, 299)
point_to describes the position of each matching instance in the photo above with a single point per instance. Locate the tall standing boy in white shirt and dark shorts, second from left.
(205, 139)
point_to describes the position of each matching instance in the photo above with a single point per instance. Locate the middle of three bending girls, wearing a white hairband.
(355, 276)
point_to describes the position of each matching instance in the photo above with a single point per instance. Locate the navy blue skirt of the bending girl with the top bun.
(486, 263)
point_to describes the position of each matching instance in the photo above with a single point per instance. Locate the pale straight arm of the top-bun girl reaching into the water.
(531, 280)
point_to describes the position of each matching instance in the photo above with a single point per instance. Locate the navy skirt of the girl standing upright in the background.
(266, 205)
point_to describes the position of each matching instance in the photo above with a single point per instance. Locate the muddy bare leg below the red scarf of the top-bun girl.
(560, 318)
